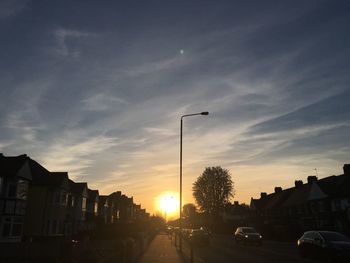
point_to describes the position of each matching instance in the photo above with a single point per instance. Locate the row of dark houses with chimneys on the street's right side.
(317, 204)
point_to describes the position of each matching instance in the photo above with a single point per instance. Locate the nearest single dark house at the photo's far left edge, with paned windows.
(15, 177)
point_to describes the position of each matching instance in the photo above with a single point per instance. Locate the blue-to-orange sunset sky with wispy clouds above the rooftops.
(97, 88)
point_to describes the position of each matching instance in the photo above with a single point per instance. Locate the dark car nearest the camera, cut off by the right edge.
(329, 245)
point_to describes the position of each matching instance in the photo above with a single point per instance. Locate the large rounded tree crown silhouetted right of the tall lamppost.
(213, 189)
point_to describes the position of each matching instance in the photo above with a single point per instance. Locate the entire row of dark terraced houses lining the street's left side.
(36, 203)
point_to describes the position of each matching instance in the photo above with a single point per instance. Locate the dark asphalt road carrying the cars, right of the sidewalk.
(222, 249)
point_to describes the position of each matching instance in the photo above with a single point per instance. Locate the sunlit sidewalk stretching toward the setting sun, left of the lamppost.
(161, 250)
